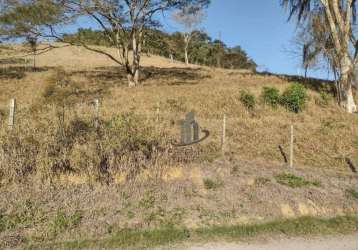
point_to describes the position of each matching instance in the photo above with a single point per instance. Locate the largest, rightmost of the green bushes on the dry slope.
(294, 98)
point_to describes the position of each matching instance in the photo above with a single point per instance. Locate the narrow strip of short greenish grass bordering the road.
(134, 239)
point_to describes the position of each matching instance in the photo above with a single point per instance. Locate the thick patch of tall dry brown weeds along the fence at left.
(49, 147)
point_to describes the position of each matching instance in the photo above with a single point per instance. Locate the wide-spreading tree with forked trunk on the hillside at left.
(123, 23)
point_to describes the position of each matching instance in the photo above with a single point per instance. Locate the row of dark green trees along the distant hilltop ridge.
(203, 50)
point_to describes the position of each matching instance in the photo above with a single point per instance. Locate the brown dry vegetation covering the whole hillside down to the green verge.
(155, 183)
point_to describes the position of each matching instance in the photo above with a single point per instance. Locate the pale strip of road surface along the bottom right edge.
(328, 243)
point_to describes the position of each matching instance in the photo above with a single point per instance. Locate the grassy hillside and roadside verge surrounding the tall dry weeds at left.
(324, 137)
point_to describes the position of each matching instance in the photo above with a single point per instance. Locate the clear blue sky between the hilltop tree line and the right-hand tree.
(260, 27)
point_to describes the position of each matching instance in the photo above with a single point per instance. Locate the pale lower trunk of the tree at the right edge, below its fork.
(346, 86)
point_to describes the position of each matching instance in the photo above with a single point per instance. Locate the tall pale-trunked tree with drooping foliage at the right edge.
(337, 19)
